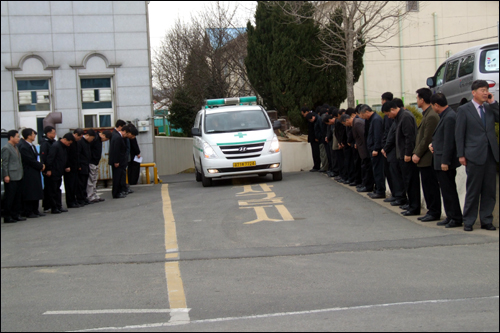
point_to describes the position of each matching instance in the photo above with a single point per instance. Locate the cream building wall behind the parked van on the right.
(456, 22)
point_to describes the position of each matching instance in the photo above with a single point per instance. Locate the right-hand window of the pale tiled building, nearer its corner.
(97, 102)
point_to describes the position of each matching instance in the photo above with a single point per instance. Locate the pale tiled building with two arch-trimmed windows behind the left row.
(89, 60)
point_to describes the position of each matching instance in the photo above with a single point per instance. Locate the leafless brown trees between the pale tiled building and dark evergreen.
(204, 56)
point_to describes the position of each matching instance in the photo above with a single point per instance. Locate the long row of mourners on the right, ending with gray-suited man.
(358, 147)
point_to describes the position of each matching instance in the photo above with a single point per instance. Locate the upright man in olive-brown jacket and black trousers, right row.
(422, 156)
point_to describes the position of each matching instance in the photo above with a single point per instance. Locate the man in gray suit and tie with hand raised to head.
(477, 149)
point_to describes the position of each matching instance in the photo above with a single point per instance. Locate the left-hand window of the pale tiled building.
(33, 95)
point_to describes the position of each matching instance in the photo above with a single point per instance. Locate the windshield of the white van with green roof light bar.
(235, 121)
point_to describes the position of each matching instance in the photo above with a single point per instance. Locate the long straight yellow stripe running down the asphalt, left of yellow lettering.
(175, 287)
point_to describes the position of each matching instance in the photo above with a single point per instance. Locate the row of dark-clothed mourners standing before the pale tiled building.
(74, 159)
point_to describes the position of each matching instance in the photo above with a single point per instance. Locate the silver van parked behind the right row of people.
(455, 76)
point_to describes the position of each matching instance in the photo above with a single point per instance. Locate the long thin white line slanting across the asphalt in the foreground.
(283, 314)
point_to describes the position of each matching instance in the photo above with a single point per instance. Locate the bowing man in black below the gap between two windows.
(56, 169)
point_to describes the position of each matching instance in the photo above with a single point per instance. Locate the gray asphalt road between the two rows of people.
(303, 254)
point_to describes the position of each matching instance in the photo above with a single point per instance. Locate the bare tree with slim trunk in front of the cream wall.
(361, 23)
